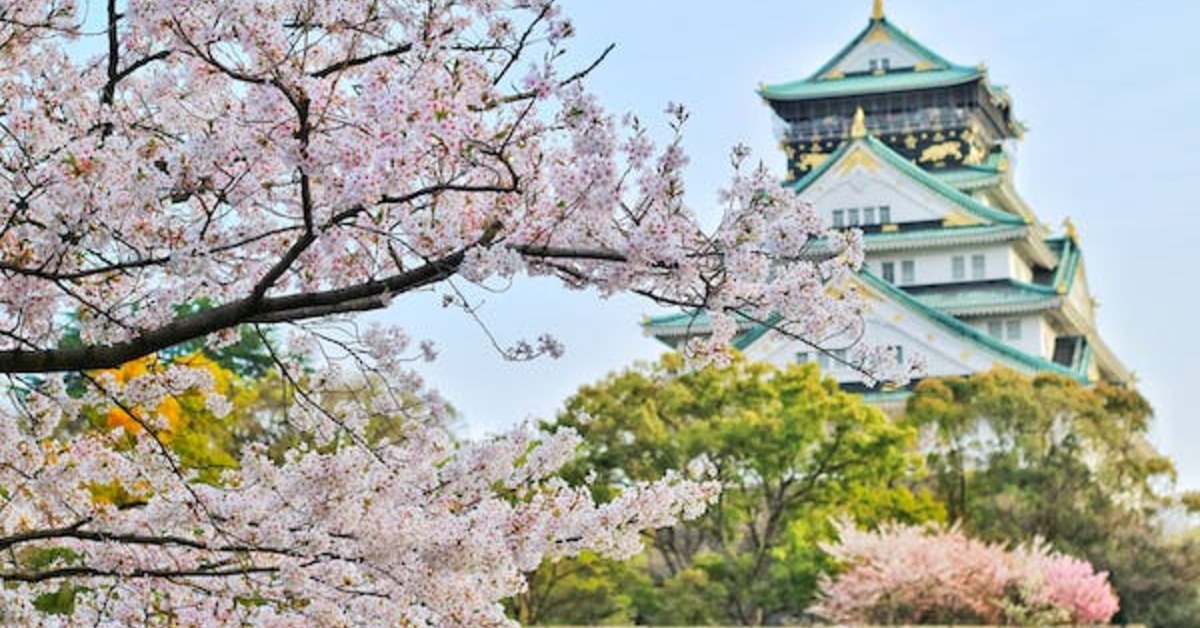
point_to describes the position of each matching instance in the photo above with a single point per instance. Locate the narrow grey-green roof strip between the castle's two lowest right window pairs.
(989, 298)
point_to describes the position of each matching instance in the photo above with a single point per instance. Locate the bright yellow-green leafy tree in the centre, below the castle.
(791, 451)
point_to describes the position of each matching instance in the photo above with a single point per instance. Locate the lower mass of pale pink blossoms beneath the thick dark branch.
(423, 531)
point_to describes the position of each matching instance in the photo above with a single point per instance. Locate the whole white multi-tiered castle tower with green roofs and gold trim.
(892, 139)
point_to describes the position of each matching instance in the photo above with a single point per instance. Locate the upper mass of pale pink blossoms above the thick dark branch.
(290, 160)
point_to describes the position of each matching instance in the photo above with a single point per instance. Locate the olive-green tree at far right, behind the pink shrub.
(1015, 457)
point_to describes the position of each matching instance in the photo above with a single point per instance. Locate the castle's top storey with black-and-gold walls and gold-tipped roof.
(934, 113)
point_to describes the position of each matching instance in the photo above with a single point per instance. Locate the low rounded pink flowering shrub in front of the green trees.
(905, 575)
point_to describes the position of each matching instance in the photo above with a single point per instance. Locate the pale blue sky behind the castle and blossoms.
(1111, 93)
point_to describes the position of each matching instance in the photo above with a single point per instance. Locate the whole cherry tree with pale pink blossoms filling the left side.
(279, 166)
